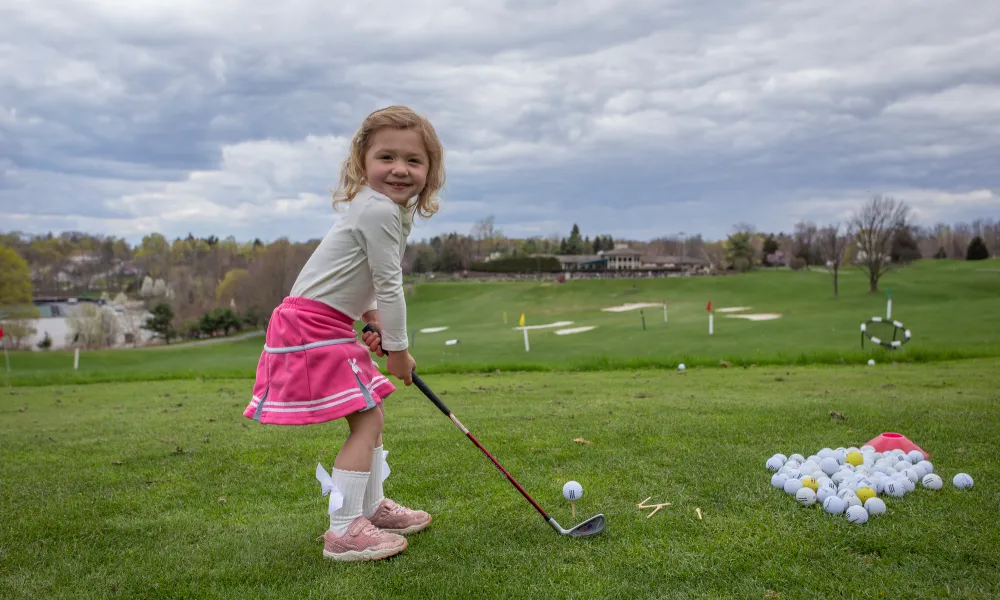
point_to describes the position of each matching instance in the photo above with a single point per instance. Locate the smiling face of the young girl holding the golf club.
(396, 164)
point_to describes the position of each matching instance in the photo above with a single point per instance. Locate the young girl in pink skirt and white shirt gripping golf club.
(314, 369)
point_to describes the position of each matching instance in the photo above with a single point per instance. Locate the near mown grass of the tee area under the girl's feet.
(164, 490)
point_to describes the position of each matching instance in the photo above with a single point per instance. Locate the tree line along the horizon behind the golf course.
(196, 280)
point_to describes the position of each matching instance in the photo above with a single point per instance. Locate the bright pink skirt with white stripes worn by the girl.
(313, 368)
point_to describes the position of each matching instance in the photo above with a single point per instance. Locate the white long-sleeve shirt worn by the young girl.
(357, 266)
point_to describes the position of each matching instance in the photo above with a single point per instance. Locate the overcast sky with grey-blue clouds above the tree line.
(640, 118)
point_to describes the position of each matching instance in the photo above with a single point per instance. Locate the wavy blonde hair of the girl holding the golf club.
(352, 171)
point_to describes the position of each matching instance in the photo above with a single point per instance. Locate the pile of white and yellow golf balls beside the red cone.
(850, 481)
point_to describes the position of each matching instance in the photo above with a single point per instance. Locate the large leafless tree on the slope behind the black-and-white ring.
(876, 224)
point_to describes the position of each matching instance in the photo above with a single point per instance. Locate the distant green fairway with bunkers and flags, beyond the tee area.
(951, 308)
